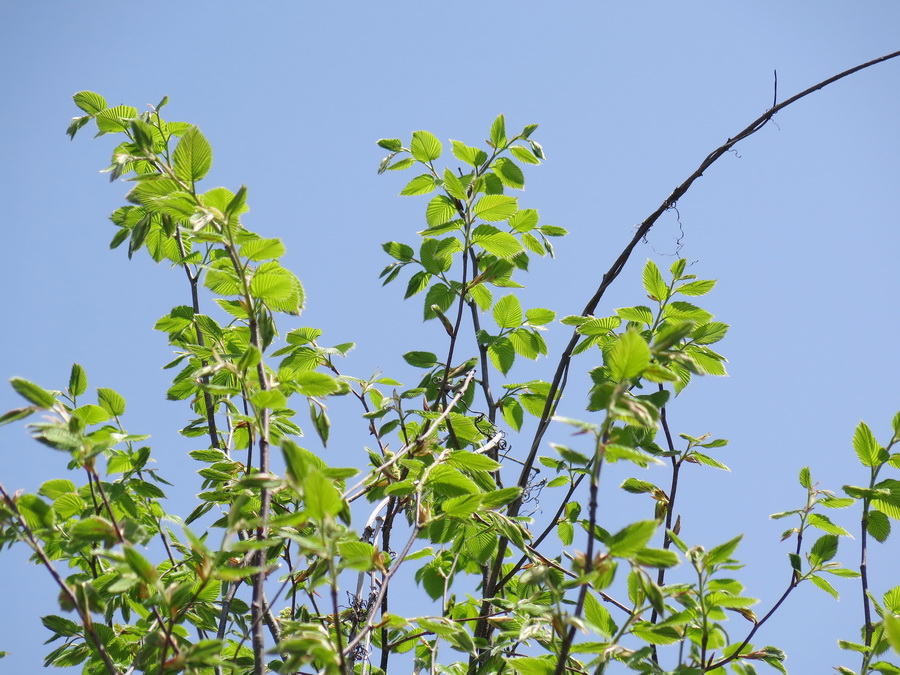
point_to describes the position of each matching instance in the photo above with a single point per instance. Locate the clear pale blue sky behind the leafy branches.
(799, 226)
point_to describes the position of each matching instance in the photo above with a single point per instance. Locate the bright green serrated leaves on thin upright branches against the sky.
(443, 500)
